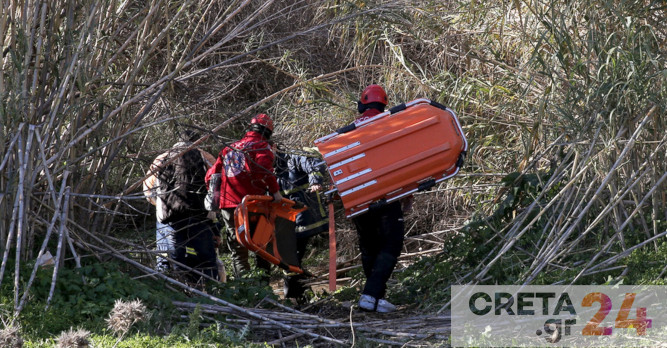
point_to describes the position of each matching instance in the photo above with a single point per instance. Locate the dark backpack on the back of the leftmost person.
(183, 187)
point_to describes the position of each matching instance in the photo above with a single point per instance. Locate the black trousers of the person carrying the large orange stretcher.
(380, 241)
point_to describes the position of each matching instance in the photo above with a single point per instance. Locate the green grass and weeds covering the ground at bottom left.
(89, 305)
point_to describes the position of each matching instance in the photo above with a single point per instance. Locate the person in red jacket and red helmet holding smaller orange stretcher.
(247, 169)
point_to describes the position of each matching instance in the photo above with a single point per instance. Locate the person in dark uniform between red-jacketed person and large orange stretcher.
(301, 178)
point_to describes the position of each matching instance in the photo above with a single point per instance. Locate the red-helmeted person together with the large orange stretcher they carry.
(376, 165)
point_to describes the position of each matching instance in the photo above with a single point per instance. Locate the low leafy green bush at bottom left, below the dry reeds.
(82, 303)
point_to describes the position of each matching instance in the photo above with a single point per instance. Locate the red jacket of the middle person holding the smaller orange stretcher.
(247, 167)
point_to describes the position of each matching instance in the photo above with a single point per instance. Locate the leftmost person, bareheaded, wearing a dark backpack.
(177, 189)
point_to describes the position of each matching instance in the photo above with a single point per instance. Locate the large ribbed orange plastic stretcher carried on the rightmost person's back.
(407, 149)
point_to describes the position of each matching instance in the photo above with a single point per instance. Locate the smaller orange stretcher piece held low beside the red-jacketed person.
(267, 228)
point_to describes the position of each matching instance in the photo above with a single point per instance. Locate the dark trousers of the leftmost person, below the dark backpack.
(194, 246)
